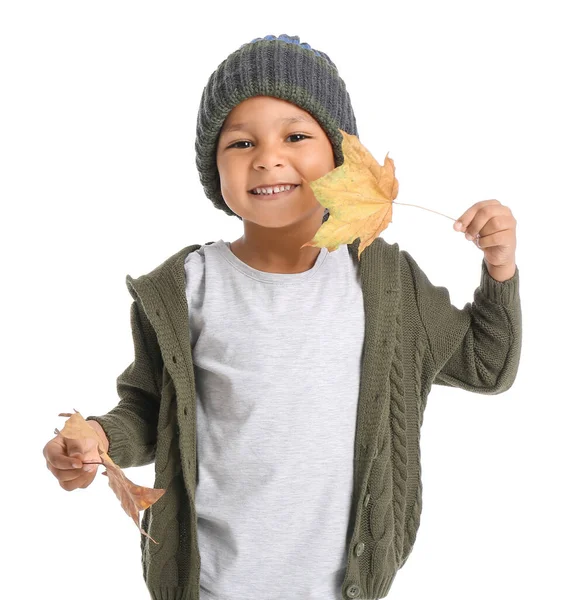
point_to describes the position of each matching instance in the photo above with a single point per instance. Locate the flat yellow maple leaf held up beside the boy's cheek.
(359, 195)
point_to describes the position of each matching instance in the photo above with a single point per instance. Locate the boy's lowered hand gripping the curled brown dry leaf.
(62, 453)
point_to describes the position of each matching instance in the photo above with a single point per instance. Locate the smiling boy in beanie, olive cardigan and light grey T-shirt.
(289, 446)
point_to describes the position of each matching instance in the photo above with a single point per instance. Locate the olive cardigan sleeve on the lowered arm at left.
(131, 426)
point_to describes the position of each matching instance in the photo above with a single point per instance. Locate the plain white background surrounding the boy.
(98, 180)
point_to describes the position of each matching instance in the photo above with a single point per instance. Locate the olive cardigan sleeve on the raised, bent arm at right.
(476, 348)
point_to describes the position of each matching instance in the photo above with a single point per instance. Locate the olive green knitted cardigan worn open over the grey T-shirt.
(414, 337)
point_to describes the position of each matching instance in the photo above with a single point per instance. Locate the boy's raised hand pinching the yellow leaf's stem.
(492, 227)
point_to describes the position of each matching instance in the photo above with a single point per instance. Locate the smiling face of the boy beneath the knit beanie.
(266, 149)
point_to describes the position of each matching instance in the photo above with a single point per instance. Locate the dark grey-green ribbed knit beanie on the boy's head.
(280, 67)
